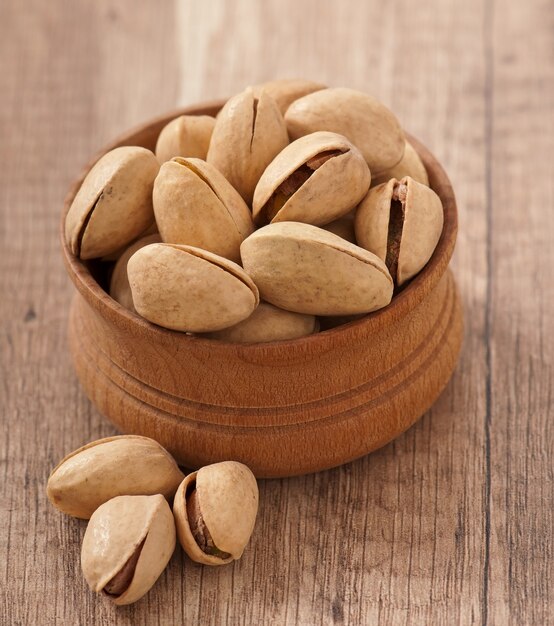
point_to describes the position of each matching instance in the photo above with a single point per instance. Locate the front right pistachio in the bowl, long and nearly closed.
(306, 269)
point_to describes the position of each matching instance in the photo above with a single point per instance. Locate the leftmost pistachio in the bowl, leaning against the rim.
(114, 204)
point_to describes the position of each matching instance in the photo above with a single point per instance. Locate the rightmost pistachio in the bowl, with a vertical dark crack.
(401, 222)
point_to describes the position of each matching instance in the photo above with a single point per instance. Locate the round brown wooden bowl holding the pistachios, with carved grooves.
(283, 408)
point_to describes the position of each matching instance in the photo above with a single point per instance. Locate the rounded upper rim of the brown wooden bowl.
(402, 303)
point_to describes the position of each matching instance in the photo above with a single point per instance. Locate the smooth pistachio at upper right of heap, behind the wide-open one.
(365, 121)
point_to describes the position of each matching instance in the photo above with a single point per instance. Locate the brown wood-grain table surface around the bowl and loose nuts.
(450, 524)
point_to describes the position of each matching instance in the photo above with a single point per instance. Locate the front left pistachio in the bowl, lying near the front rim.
(189, 289)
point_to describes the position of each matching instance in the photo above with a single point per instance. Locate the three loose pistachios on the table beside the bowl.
(124, 485)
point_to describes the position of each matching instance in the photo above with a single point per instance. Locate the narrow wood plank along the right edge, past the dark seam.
(521, 325)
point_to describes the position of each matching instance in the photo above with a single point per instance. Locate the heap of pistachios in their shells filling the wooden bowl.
(297, 208)
